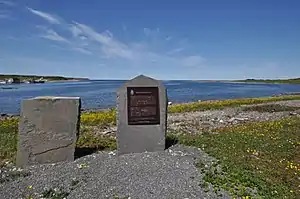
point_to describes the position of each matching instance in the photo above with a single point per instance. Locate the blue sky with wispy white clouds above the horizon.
(112, 39)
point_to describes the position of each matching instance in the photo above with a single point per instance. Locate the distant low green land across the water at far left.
(50, 78)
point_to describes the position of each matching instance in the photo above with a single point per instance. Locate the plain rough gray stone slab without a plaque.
(48, 130)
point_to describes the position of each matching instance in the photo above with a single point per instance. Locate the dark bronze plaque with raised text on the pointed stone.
(143, 106)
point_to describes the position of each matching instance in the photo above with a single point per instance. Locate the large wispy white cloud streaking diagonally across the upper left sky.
(84, 39)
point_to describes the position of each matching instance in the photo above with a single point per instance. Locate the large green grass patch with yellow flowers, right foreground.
(264, 157)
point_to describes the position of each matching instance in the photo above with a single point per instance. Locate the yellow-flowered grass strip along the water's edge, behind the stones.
(103, 119)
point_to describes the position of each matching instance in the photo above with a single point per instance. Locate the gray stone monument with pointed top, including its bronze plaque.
(141, 116)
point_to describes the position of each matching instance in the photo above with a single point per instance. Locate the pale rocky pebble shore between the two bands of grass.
(207, 121)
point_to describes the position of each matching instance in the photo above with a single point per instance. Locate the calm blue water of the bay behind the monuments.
(102, 94)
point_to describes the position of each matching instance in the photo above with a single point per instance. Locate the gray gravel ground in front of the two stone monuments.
(168, 174)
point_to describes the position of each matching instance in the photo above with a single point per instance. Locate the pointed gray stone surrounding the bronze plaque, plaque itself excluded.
(141, 138)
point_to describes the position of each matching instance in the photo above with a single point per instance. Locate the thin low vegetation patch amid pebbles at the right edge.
(271, 108)
